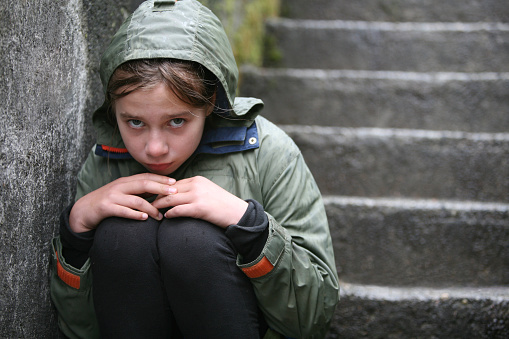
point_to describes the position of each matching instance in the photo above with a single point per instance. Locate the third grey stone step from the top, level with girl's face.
(471, 102)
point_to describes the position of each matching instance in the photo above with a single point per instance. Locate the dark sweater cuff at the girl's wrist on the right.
(250, 234)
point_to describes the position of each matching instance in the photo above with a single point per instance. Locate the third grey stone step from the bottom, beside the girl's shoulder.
(376, 162)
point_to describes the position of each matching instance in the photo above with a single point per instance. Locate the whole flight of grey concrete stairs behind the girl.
(401, 109)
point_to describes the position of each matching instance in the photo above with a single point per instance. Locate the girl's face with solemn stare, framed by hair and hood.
(159, 130)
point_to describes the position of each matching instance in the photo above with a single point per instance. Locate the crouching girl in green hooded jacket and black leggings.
(194, 216)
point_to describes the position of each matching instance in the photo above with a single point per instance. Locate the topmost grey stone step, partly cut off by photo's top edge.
(399, 10)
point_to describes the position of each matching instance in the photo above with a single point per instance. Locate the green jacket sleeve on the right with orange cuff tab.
(295, 277)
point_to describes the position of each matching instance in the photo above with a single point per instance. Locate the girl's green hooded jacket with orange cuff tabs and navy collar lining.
(294, 278)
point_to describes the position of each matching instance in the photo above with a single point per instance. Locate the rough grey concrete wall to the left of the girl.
(49, 54)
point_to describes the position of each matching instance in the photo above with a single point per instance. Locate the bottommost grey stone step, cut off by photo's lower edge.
(382, 312)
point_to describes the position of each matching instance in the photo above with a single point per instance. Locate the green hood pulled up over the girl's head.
(185, 30)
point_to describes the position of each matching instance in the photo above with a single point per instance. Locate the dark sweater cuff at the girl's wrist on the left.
(75, 246)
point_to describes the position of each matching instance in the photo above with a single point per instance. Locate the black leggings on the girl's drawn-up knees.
(170, 279)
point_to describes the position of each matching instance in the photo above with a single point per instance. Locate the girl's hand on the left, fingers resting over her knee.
(120, 198)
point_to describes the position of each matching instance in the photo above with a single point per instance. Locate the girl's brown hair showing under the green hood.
(190, 82)
